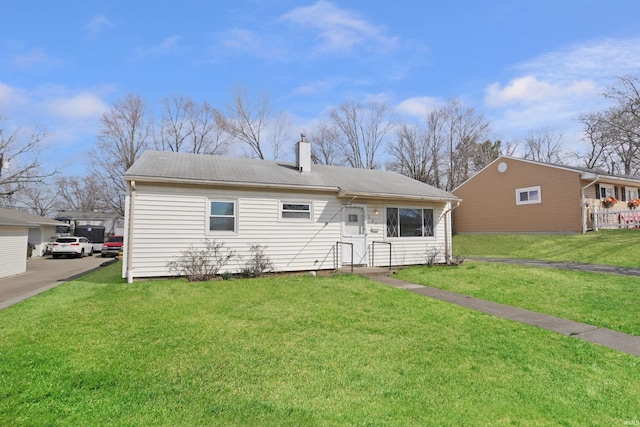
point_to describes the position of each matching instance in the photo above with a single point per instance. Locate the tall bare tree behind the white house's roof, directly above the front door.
(361, 131)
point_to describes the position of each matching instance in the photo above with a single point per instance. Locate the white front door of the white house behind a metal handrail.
(354, 230)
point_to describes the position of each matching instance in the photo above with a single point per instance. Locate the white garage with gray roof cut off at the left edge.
(17, 230)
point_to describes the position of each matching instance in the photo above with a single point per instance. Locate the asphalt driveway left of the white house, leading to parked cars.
(43, 274)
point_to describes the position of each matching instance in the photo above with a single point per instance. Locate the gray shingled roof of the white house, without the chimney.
(161, 166)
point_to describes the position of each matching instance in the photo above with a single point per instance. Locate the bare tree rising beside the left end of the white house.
(124, 136)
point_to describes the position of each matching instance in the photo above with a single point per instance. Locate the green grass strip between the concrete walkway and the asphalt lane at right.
(604, 300)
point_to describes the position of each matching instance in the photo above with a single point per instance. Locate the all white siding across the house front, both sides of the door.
(169, 219)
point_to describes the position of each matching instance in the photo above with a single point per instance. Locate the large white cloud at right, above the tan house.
(552, 89)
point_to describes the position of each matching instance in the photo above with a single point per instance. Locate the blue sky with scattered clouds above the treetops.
(525, 65)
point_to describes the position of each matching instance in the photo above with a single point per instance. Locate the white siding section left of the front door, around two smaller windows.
(170, 219)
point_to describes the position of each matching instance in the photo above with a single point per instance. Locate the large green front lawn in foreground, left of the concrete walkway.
(293, 351)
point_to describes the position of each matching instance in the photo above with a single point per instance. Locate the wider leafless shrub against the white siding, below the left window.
(201, 264)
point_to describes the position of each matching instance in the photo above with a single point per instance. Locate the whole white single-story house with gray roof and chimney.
(297, 211)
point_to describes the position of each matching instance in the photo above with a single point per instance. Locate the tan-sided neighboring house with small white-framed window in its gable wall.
(522, 196)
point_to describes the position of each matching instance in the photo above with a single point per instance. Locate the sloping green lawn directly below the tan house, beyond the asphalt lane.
(609, 247)
